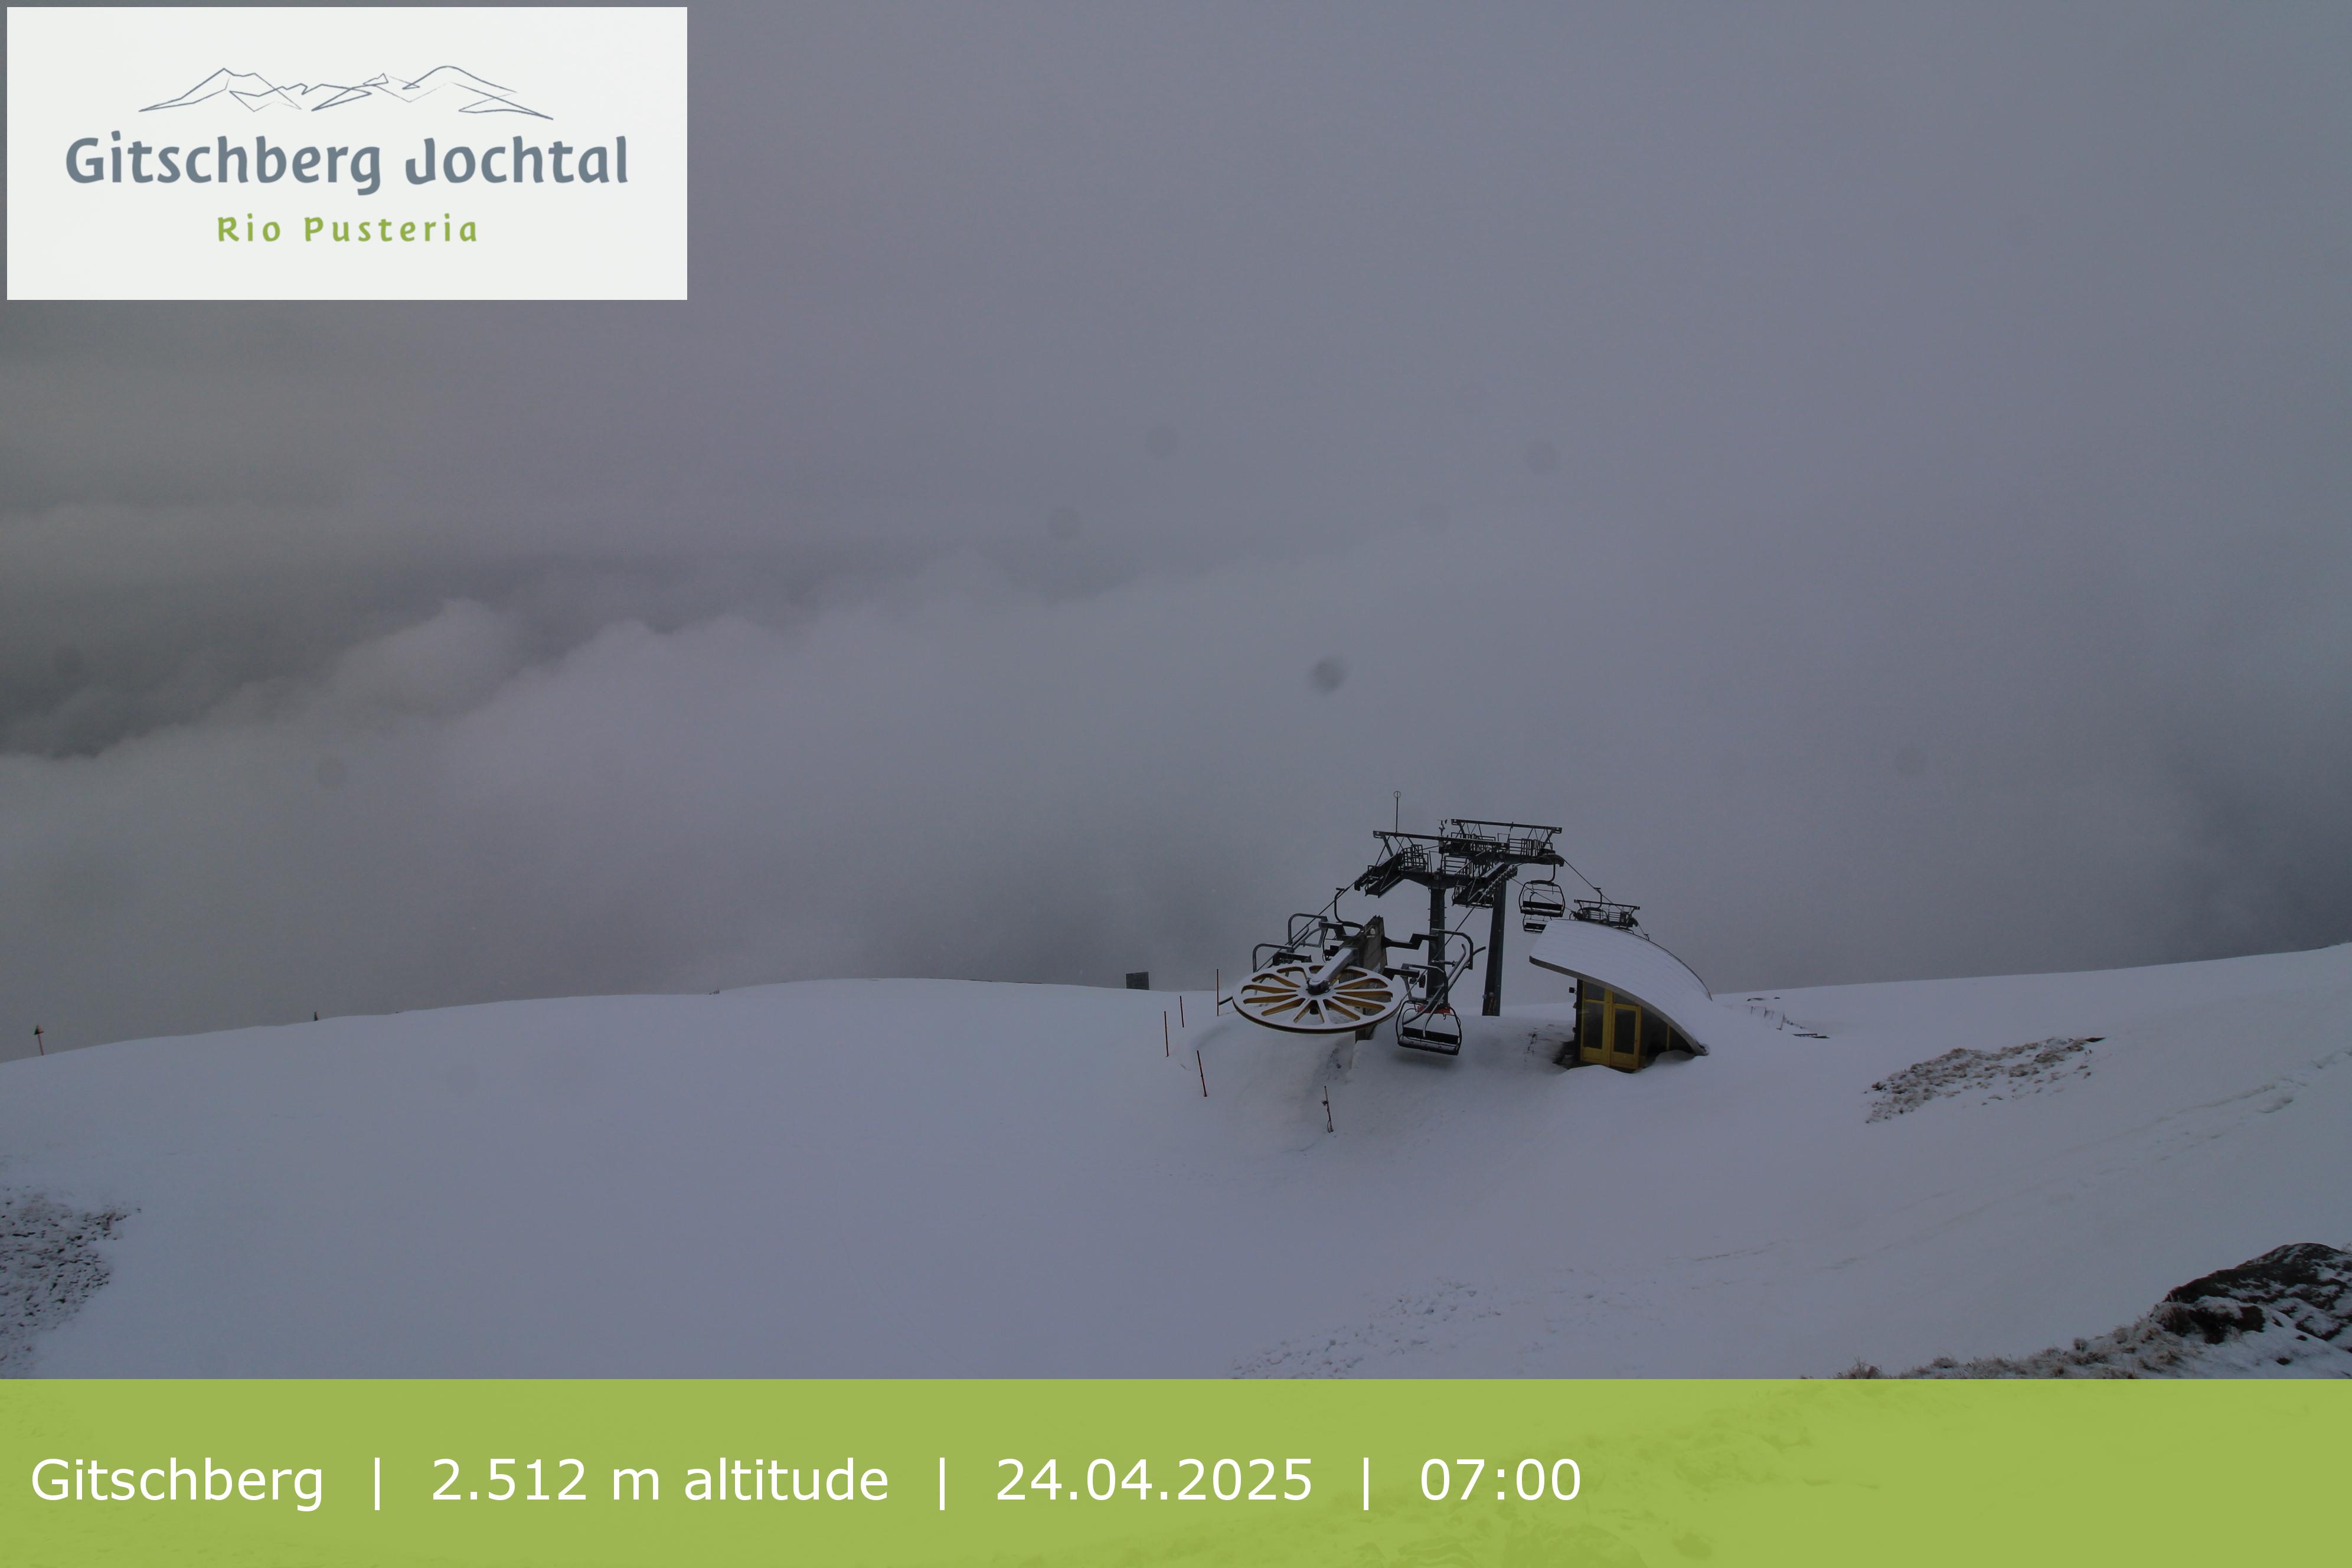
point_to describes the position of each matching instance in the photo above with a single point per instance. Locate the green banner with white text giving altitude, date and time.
(1168, 1473)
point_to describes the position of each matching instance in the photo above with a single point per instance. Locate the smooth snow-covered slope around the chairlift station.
(904, 1179)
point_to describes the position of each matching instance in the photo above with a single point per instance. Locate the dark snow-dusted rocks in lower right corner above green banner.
(2285, 1315)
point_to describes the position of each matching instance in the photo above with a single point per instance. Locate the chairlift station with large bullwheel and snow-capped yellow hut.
(1335, 977)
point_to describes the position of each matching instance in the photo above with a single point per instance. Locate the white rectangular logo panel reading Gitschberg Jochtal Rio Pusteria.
(274, 154)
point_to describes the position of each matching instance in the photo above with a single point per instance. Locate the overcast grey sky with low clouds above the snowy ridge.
(1880, 481)
